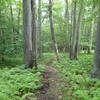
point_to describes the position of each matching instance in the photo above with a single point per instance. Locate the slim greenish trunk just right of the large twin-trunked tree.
(39, 28)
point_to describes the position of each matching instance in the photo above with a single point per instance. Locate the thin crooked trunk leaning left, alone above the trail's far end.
(52, 30)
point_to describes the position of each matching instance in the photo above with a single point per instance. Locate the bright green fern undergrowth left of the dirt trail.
(18, 83)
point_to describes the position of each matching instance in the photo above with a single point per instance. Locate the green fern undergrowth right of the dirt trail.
(79, 86)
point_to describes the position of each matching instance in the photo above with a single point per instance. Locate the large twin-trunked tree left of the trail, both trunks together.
(29, 33)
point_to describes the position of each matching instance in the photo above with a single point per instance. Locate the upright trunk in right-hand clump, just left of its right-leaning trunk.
(73, 39)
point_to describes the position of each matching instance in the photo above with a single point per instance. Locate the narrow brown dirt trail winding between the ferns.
(52, 81)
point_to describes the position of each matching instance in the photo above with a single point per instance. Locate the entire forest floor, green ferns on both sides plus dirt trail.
(53, 80)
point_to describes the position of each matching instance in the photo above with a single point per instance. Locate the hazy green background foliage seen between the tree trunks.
(11, 25)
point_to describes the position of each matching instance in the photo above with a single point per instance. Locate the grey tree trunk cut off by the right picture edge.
(96, 72)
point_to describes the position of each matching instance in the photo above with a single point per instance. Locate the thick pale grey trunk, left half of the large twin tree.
(27, 33)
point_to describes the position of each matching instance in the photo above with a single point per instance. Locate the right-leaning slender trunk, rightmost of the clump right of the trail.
(78, 31)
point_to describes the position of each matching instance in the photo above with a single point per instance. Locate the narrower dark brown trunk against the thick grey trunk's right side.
(34, 39)
